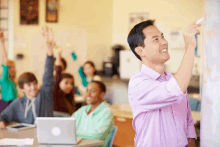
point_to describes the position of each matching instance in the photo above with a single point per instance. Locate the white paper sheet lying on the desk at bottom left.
(17, 142)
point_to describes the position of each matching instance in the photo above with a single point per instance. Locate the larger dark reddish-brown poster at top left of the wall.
(29, 12)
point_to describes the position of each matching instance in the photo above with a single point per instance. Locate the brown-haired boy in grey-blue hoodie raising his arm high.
(35, 103)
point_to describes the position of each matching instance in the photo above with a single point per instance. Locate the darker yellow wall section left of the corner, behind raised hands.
(92, 19)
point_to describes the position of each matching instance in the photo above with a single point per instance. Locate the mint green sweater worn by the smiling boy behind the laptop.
(97, 125)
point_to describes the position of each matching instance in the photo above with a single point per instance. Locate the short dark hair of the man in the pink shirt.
(136, 36)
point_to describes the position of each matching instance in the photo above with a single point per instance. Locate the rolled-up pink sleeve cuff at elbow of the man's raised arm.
(173, 87)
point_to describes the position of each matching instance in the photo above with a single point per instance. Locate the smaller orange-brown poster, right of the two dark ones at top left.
(52, 10)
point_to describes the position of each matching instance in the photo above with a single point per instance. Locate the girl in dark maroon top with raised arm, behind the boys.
(64, 89)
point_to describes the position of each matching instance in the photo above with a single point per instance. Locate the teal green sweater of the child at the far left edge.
(8, 87)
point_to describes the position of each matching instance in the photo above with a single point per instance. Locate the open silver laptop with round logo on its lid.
(56, 130)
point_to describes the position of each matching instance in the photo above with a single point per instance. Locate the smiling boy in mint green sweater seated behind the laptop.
(95, 120)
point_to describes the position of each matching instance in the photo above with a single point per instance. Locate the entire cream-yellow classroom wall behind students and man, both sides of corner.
(102, 24)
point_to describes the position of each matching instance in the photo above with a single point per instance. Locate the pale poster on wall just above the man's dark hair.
(135, 18)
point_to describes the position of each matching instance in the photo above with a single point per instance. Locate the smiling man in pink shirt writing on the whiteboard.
(161, 112)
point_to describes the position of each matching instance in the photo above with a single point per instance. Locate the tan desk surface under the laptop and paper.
(31, 133)
